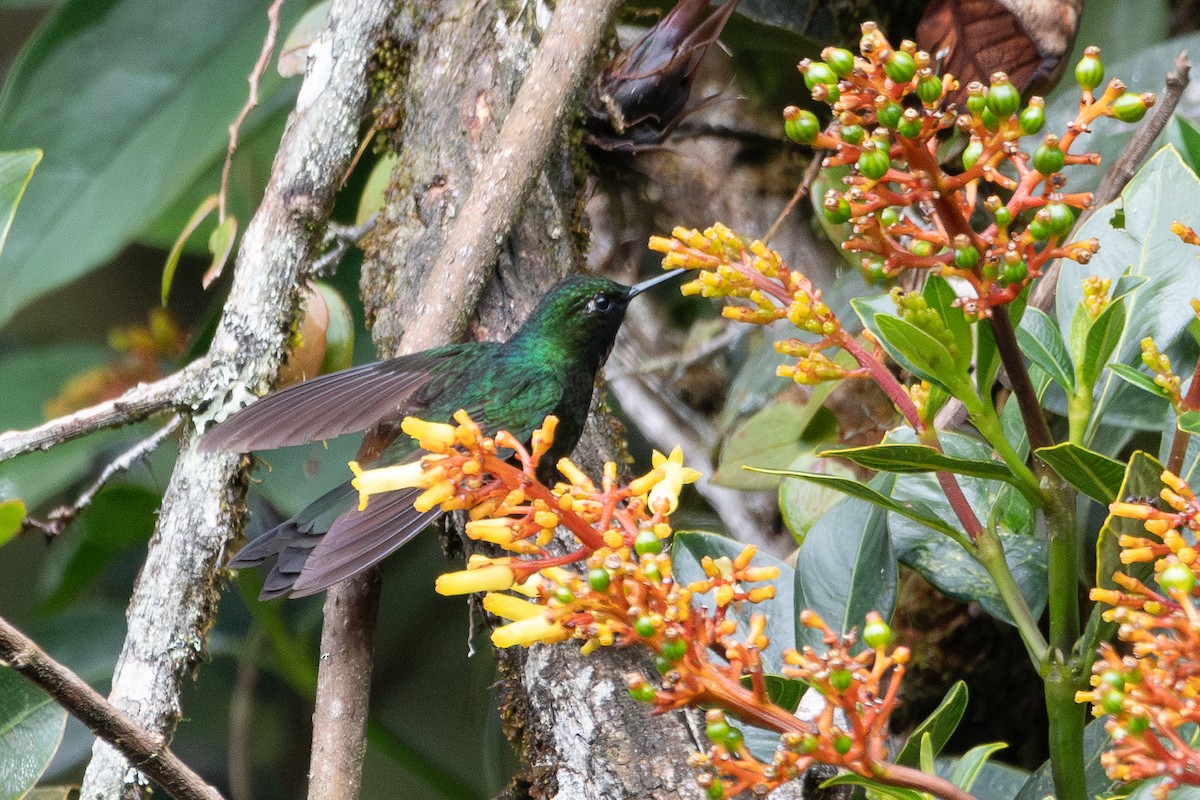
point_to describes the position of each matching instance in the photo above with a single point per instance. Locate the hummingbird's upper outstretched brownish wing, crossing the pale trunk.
(329, 406)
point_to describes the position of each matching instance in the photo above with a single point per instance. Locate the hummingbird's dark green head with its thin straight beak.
(580, 316)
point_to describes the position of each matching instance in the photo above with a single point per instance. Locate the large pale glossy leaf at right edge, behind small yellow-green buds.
(1136, 237)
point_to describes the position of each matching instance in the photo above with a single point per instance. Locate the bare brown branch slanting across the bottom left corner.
(148, 751)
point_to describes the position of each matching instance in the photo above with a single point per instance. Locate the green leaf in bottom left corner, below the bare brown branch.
(31, 731)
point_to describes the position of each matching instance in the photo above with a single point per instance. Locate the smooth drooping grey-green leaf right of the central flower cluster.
(847, 569)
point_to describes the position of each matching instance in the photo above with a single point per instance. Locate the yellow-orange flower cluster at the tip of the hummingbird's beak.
(760, 278)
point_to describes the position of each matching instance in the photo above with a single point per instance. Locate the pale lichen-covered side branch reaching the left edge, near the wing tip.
(176, 392)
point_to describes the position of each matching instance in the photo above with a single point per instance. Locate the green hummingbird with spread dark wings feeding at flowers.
(549, 366)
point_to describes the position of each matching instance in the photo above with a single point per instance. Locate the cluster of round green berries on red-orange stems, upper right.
(907, 210)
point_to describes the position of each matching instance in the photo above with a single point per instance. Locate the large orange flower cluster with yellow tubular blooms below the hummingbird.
(709, 645)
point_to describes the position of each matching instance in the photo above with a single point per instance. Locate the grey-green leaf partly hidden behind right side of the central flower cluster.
(687, 551)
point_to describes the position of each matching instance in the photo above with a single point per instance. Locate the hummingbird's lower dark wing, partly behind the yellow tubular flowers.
(359, 539)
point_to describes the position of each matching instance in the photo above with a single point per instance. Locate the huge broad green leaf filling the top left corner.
(130, 100)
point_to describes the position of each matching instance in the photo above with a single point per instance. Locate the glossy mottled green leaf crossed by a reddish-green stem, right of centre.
(944, 562)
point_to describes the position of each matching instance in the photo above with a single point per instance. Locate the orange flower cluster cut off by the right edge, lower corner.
(1151, 694)
